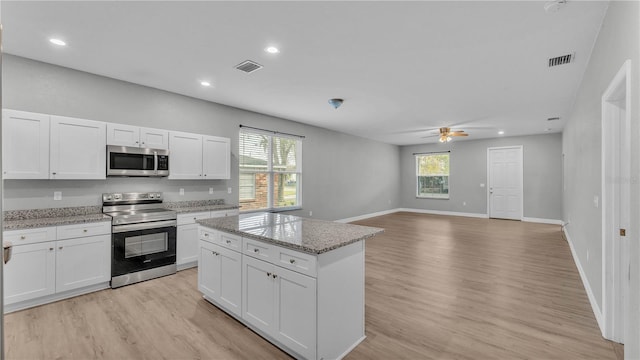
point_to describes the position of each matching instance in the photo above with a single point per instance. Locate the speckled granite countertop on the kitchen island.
(307, 235)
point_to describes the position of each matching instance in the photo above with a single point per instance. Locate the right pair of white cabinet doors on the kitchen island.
(282, 303)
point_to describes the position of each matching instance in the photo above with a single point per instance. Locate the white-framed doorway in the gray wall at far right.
(615, 192)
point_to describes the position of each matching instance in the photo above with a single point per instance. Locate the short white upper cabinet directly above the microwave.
(127, 135)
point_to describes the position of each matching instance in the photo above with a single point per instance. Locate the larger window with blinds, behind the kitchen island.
(270, 171)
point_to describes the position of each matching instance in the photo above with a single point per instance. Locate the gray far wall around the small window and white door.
(542, 167)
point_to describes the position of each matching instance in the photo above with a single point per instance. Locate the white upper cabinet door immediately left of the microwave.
(78, 148)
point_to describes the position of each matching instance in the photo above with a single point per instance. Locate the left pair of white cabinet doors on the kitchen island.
(220, 276)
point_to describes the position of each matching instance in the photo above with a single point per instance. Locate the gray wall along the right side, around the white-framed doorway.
(618, 41)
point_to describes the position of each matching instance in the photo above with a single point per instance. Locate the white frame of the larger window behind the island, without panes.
(271, 172)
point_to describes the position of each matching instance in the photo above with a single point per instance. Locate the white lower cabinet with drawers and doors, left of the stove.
(43, 269)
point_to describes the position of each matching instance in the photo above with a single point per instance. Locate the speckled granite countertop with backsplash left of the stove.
(29, 219)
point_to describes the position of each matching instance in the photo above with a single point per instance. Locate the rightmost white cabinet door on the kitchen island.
(296, 312)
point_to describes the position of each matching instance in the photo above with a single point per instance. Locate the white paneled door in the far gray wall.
(505, 182)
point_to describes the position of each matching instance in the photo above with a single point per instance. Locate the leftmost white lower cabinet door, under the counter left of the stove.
(30, 273)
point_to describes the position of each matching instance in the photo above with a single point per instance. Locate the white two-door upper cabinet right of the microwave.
(195, 156)
